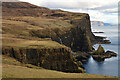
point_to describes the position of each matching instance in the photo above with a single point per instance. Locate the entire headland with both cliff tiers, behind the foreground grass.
(44, 37)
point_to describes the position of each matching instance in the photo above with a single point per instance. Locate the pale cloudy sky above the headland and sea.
(99, 10)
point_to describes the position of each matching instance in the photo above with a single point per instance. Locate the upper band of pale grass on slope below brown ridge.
(38, 22)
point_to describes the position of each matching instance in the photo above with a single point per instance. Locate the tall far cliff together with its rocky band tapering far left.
(78, 37)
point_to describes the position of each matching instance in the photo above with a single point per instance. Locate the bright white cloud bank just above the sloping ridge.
(66, 5)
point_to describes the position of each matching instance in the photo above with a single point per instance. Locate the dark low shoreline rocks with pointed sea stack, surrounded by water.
(98, 55)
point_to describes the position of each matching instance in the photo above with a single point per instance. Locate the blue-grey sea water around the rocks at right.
(110, 65)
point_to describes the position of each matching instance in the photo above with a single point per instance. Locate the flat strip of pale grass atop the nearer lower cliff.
(14, 42)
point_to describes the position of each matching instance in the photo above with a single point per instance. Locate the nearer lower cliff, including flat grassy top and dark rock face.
(42, 52)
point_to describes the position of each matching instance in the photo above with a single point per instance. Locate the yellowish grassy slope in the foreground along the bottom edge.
(11, 66)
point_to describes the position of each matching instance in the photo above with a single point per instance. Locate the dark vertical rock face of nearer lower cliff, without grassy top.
(50, 58)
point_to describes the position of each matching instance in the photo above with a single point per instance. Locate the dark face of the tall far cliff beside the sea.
(79, 37)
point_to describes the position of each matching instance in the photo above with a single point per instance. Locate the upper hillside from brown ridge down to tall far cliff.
(57, 25)
